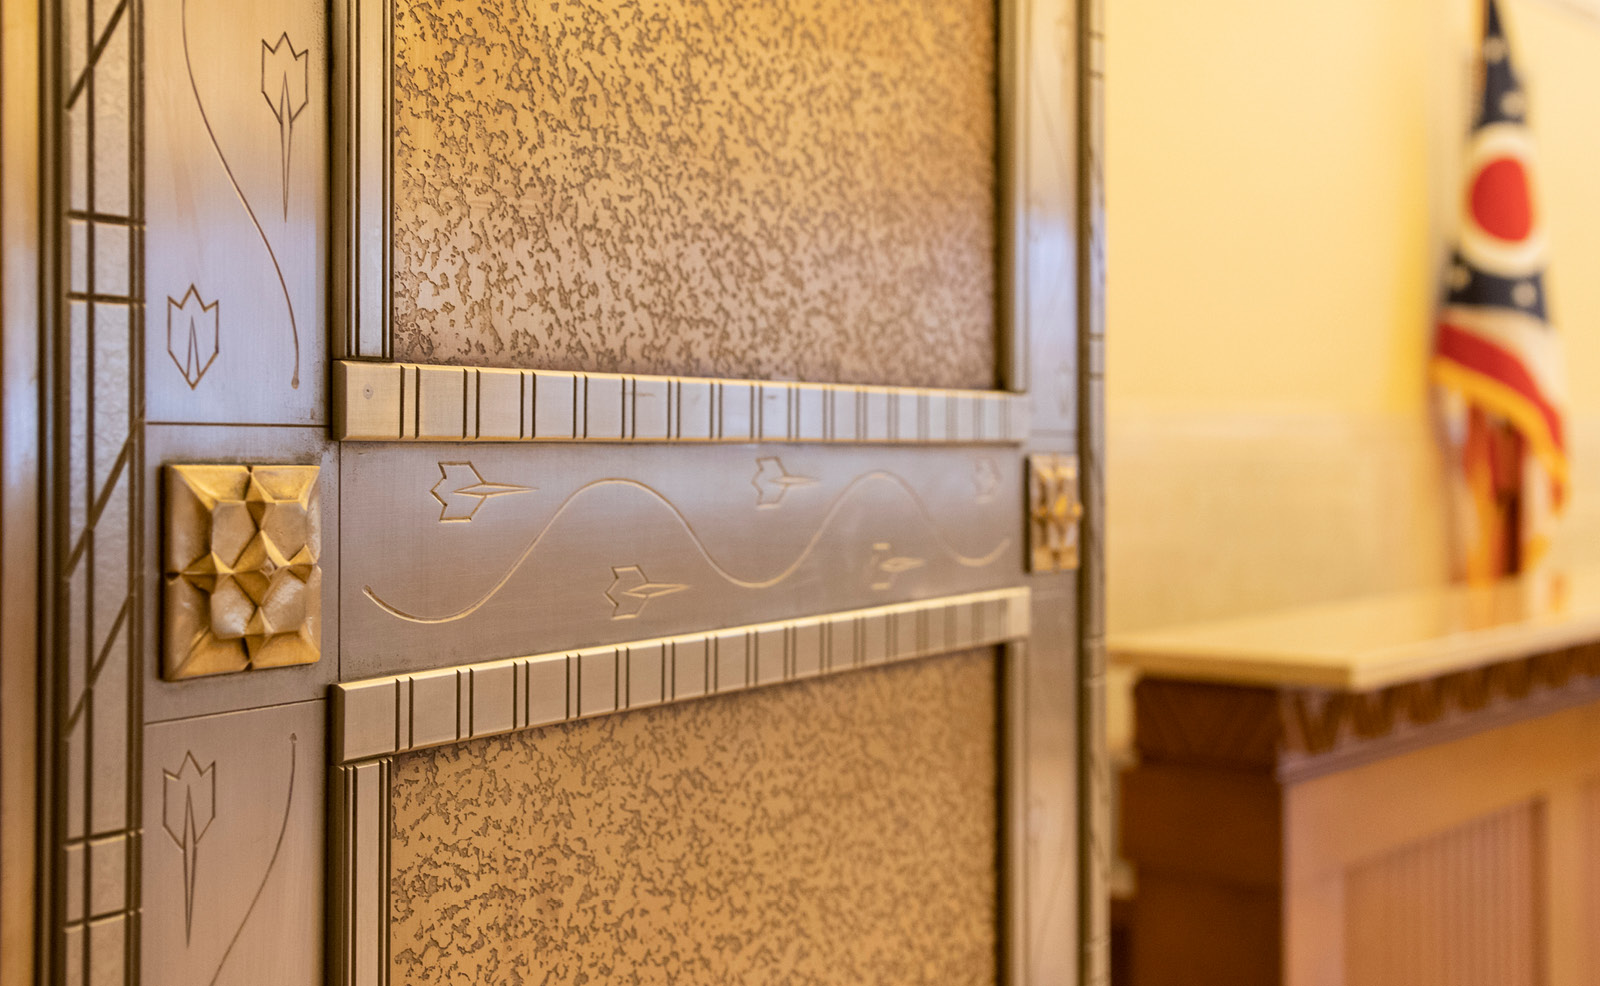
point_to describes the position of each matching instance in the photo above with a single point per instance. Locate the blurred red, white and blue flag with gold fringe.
(1495, 355)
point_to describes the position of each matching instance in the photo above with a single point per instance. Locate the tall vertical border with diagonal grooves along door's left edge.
(94, 342)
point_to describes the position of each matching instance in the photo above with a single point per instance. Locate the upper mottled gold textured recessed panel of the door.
(788, 190)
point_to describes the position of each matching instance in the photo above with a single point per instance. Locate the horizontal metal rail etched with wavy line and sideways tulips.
(654, 540)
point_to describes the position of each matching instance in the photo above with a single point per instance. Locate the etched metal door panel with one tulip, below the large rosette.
(233, 870)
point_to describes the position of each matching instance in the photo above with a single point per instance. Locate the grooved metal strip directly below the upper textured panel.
(391, 403)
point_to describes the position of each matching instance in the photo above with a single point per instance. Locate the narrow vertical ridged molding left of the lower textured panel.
(359, 875)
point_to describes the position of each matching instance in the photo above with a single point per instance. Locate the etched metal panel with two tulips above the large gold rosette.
(238, 194)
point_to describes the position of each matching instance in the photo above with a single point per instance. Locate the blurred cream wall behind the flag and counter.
(1281, 188)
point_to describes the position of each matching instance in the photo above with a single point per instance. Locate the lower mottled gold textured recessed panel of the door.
(833, 832)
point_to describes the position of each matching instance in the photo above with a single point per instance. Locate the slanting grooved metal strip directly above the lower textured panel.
(388, 716)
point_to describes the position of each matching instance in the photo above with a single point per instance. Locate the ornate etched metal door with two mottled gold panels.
(553, 492)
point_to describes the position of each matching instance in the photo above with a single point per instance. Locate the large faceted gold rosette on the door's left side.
(242, 582)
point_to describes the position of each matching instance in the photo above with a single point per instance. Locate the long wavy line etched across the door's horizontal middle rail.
(745, 583)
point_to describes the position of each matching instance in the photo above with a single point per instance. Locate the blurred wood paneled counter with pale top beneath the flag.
(1401, 790)
